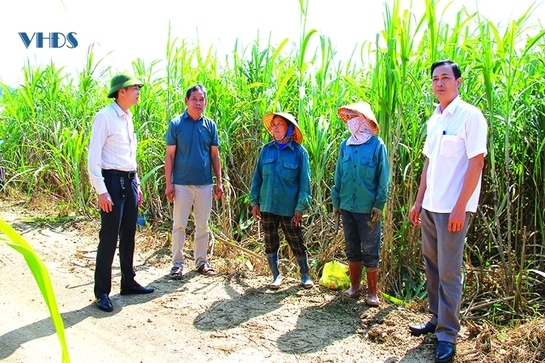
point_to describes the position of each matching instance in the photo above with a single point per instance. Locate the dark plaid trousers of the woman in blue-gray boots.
(294, 235)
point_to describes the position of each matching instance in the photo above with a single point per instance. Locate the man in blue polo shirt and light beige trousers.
(192, 153)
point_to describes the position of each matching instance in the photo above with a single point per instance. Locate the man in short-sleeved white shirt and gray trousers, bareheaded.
(449, 190)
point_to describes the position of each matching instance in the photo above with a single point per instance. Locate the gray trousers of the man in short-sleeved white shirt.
(443, 253)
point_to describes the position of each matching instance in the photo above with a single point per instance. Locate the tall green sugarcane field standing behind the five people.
(48, 122)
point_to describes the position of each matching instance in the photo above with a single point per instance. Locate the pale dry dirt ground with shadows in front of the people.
(229, 317)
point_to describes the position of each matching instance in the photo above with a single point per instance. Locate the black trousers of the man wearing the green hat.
(120, 222)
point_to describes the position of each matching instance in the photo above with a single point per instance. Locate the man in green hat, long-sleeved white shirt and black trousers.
(112, 170)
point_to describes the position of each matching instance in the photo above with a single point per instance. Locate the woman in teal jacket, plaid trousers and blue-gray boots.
(280, 192)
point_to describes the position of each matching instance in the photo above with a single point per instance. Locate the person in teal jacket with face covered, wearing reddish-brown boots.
(362, 178)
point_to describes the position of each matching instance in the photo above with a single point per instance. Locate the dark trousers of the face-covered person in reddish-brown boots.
(362, 238)
